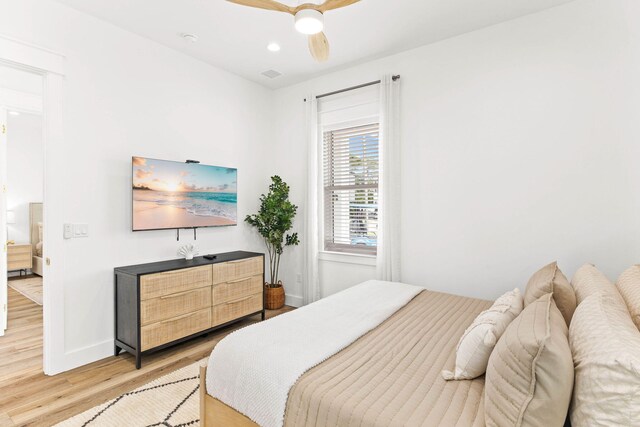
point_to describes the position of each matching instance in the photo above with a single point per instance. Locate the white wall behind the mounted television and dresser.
(125, 95)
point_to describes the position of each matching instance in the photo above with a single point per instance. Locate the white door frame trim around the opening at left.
(50, 65)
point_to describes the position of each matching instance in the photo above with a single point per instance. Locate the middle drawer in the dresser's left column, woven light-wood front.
(168, 306)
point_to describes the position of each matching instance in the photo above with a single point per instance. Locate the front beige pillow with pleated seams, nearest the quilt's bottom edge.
(530, 373)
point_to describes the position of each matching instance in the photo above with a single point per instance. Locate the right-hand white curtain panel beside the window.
(388, 259)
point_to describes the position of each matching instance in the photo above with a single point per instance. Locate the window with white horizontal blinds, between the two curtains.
(350, 170)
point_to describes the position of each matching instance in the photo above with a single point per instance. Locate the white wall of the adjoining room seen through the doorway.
(25, 172)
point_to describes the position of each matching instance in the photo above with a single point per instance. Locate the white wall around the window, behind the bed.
(520, 148)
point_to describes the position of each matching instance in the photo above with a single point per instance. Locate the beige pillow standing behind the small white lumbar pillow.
(549, 279)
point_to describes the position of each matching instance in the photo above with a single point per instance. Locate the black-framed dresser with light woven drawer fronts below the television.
(164, 303)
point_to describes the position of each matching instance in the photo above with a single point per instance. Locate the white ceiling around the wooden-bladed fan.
(235, 37)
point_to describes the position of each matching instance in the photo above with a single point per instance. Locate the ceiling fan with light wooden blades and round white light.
(309, 19)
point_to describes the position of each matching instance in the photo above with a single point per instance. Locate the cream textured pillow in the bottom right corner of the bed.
(606, 352)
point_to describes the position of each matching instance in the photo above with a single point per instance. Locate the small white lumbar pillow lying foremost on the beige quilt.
(477, 342)
